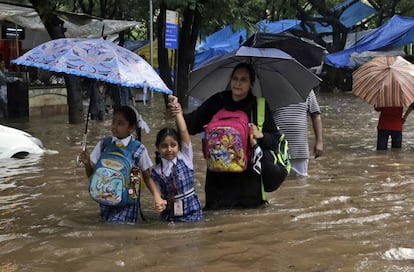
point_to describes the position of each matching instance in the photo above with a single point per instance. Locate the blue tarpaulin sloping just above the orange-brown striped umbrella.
(396, 32)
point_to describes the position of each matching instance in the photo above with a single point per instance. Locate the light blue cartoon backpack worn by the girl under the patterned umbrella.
(112, 183)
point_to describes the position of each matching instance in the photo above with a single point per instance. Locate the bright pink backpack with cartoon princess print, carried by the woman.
(226, 141)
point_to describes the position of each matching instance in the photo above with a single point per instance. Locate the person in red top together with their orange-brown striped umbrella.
(387, 83)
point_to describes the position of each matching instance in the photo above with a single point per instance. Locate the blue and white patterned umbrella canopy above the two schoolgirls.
(94, 58)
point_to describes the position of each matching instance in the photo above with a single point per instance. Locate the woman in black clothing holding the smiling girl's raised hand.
(226, 190)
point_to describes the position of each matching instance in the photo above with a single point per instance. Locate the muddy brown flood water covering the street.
(353, 213)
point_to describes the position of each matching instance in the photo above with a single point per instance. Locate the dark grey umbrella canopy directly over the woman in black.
(279, 77)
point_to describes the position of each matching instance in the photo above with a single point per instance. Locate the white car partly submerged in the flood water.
(15, 143)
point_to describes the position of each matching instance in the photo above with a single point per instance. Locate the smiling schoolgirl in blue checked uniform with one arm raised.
(174, 173)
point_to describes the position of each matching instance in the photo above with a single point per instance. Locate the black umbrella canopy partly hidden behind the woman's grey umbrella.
(307, 52)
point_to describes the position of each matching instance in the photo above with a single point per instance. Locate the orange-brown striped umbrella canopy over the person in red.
(385, 82)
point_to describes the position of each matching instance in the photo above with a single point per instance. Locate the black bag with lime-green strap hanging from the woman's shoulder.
(275, 164)
